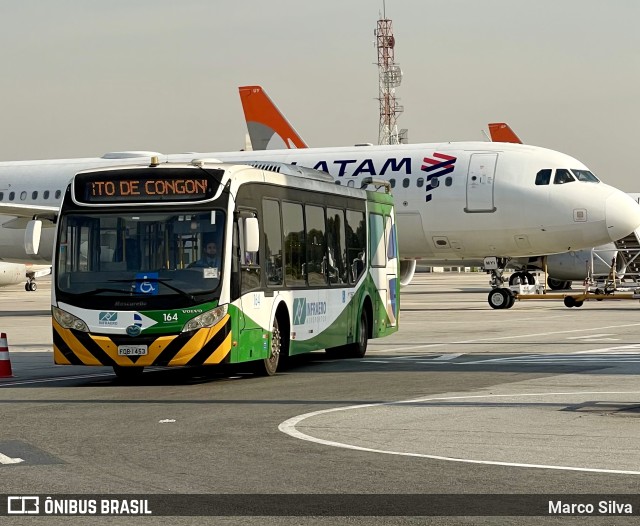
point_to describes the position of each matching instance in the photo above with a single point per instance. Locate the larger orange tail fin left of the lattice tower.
(268, 129)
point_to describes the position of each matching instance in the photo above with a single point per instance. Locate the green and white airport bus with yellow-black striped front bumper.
(205, 263)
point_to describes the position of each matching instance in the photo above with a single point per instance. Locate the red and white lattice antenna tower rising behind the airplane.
(389, 78)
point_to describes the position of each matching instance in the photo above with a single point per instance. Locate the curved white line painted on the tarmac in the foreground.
(289, 427)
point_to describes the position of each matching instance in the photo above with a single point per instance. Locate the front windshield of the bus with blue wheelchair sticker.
(149, 255)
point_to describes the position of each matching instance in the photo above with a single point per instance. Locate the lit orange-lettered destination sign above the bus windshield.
(145, 185)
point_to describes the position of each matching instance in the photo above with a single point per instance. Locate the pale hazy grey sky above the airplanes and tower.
(84, 77)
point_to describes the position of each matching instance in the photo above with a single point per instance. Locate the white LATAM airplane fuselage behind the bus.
(454, 201)
